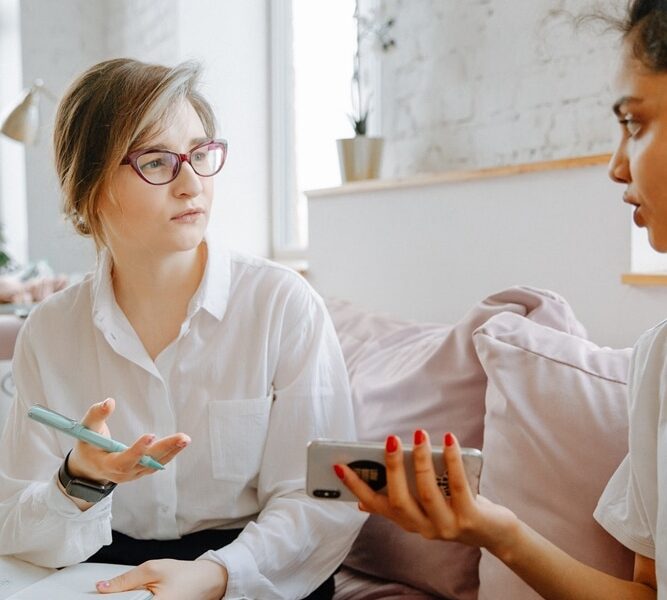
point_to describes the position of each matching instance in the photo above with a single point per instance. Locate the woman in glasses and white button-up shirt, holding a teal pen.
(218, 365)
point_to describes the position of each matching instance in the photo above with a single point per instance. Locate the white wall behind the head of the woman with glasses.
(60, 39)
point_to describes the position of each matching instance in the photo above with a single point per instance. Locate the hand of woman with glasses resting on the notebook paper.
(172, 580)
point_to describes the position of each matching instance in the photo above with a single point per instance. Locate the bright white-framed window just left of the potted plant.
(313, 43)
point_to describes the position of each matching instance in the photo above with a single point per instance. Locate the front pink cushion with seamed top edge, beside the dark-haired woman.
(555, 431)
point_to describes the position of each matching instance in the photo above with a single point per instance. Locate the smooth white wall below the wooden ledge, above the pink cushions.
(430, 253)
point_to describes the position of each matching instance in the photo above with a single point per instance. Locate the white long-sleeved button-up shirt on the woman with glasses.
(255, 373)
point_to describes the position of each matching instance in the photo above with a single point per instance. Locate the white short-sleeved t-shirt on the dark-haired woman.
(633, 506)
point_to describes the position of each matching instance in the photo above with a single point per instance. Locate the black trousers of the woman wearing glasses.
(125, 550)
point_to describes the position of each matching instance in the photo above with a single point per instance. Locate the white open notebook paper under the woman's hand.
(78, 583)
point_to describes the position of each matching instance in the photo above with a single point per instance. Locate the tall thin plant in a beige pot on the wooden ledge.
(360, 156)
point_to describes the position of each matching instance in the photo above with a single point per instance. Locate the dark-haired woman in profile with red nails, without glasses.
(633, 507)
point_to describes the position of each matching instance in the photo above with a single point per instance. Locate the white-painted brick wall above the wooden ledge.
(477, 83)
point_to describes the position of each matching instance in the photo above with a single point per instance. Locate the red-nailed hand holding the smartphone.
(465, 518)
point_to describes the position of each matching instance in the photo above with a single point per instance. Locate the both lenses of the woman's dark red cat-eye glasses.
(162, 167)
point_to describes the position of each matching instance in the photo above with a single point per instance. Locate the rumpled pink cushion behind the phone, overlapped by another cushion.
(407, 375)
